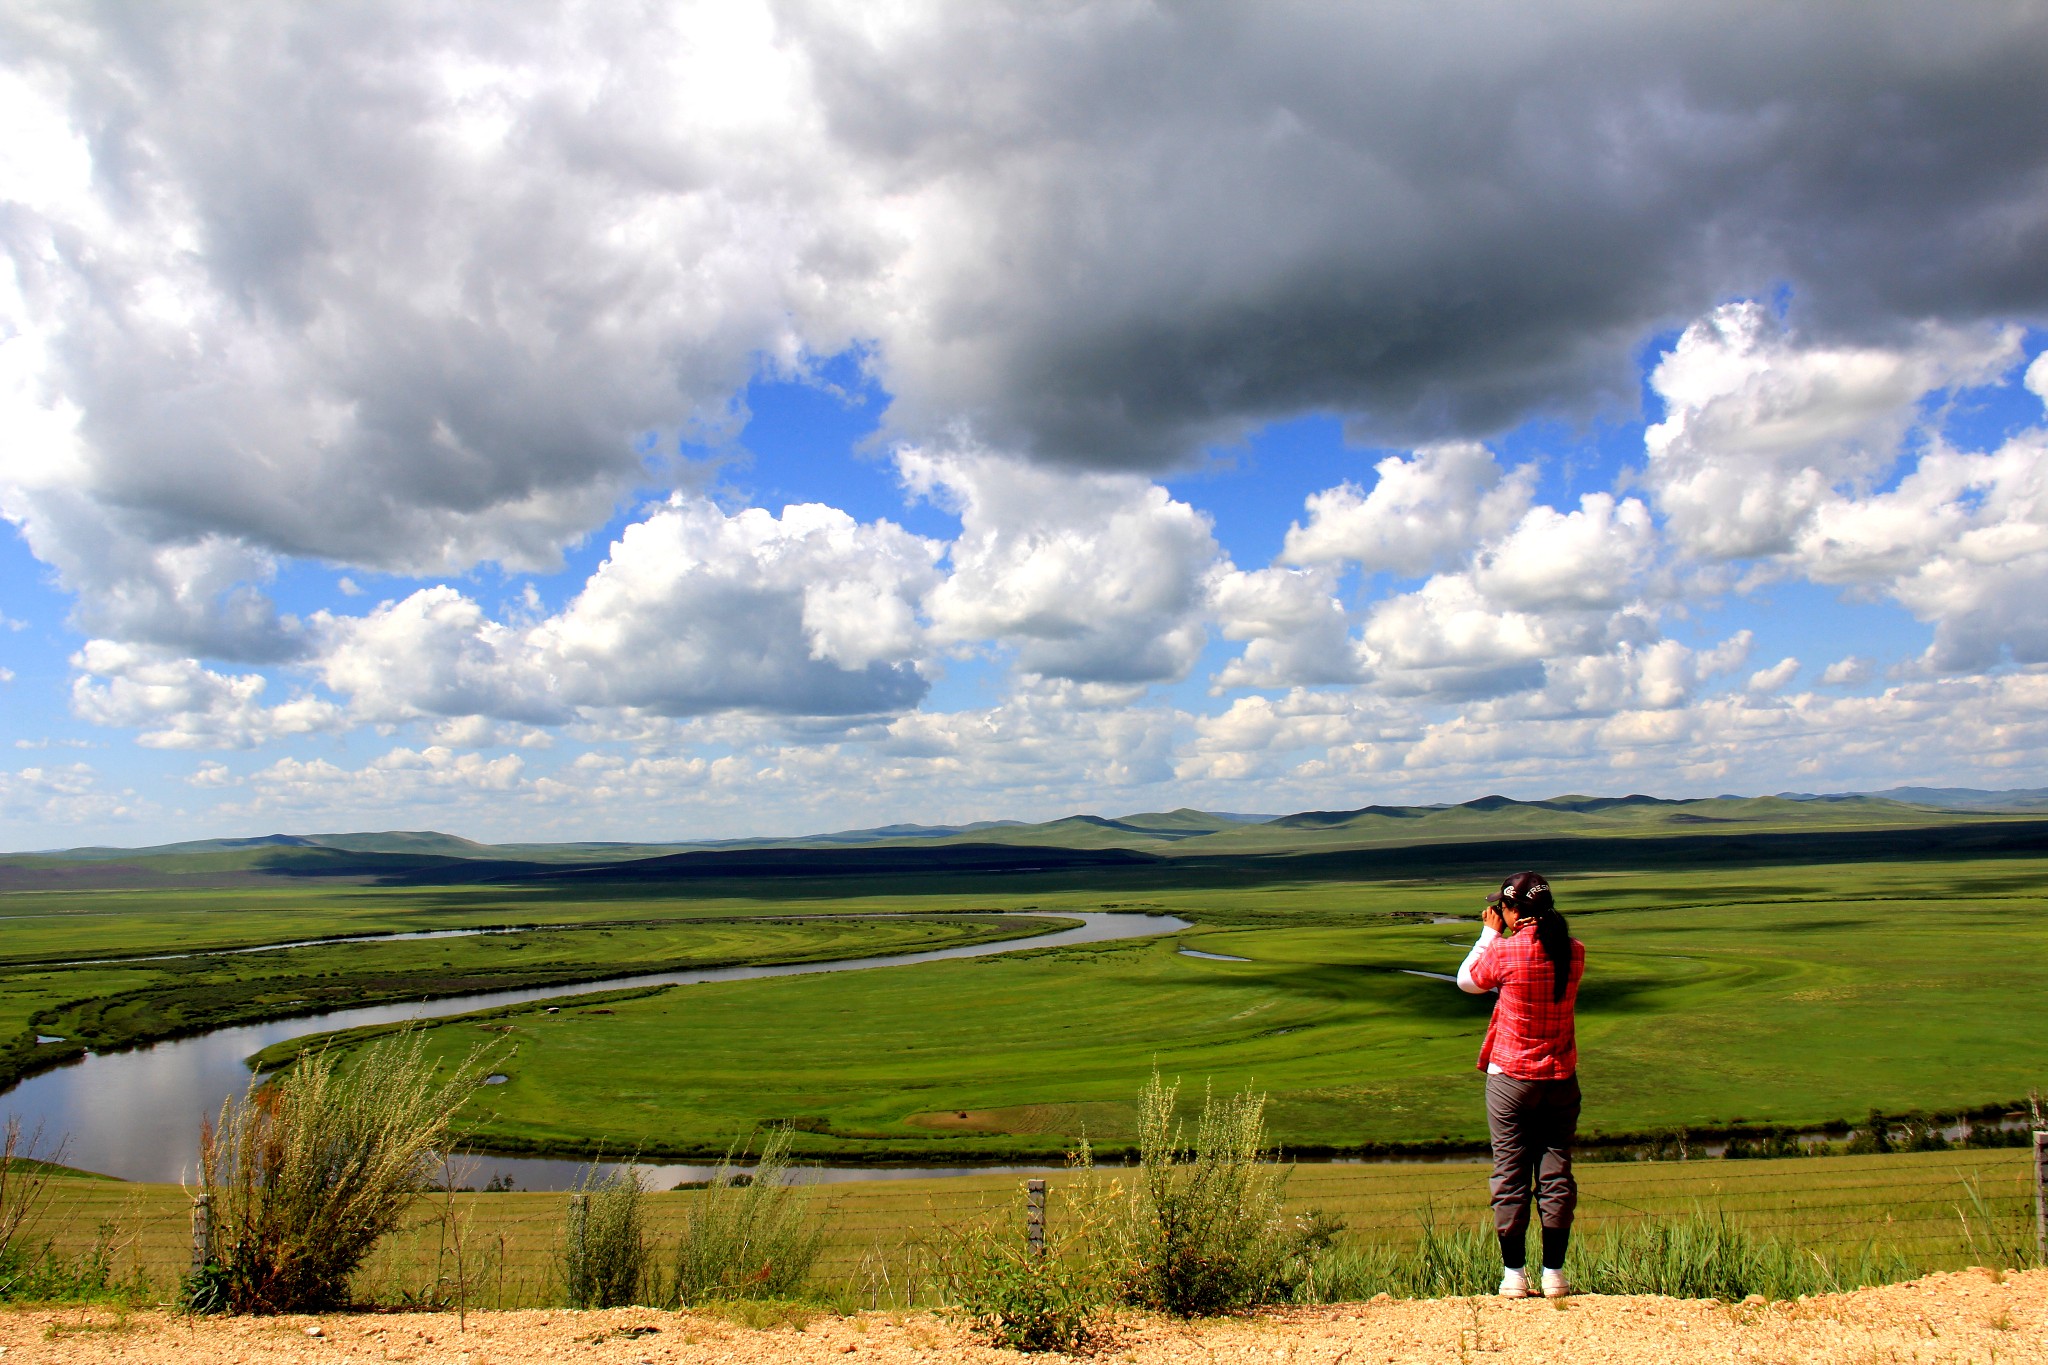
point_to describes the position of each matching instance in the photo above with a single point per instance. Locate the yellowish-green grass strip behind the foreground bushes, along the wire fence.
(1910, 1204)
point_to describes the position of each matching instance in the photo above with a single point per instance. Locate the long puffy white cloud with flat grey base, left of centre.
(695, 611)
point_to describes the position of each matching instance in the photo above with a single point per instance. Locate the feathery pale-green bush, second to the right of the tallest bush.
(749, 1235)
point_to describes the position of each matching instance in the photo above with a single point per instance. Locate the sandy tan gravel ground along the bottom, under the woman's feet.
(1951, 1319)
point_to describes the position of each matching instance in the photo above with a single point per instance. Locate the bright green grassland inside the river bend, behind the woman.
(1793, 998)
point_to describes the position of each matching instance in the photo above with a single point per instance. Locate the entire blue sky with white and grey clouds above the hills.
(663, 421)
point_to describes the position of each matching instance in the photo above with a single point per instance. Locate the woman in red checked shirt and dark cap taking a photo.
(1533, 1071)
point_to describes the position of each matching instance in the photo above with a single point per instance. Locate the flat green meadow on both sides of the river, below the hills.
(1721, 998)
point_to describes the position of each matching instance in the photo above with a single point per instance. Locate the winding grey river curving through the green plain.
(136, 1114)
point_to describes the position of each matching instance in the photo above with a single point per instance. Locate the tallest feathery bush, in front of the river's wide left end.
(314, 1168)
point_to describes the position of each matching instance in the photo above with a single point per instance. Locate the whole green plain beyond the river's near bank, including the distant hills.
(1754, 963)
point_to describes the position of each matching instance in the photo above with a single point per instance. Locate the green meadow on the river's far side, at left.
(124, 969)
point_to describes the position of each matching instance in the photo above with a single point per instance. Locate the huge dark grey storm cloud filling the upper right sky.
(1437, 220)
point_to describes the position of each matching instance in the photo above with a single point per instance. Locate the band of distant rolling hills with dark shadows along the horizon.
(1316, 844)
